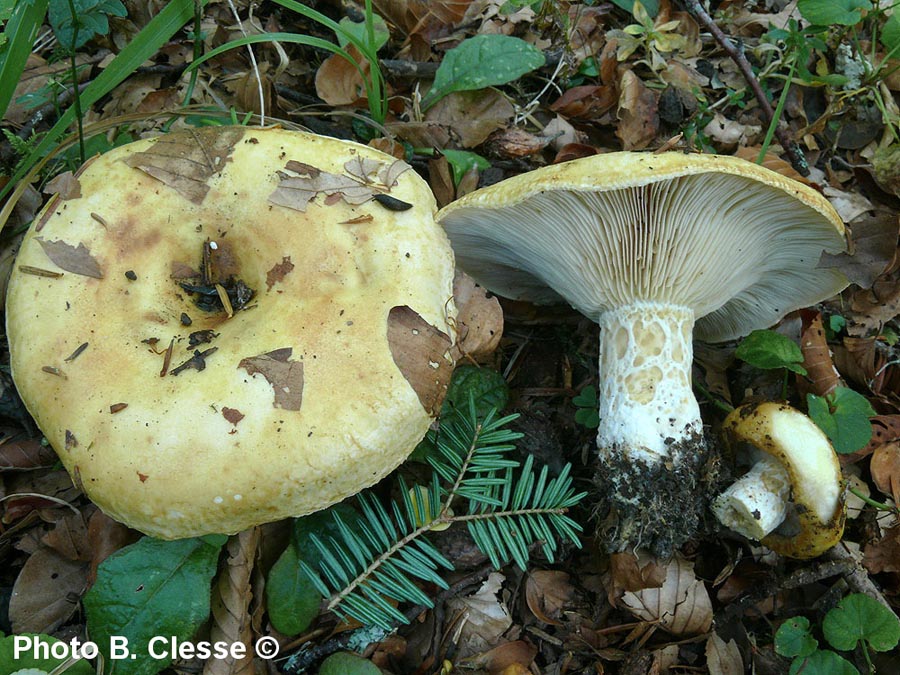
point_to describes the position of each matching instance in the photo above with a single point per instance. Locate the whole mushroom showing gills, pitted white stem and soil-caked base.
(657, 249)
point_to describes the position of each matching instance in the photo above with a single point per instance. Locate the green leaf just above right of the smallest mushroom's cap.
(844, 417)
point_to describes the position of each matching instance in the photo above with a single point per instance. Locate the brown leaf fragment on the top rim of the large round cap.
(186, 160)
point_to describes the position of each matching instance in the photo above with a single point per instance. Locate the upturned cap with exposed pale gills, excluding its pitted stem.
(734, 242)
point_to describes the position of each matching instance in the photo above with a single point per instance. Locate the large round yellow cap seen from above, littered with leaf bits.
(232, 325)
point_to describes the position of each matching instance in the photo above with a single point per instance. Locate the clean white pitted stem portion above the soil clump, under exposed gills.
(646, 401)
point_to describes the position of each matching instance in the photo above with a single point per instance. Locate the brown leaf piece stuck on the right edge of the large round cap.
(420, 351)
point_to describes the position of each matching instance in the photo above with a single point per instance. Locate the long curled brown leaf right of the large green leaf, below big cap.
(230, 604)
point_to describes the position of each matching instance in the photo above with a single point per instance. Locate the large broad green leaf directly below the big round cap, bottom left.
(148, 589)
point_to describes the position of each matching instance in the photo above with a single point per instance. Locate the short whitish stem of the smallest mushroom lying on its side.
(757, 502)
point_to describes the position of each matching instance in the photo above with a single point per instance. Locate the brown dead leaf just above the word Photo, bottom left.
(46, 592)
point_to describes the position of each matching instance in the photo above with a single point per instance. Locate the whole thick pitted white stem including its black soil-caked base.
(650, 437)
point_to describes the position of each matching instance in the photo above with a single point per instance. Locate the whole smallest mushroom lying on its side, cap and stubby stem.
(792, 497)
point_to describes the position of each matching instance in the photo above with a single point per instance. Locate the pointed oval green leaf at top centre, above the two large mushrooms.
(482, 61)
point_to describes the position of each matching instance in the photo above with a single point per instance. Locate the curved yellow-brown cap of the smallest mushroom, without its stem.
(816, 521)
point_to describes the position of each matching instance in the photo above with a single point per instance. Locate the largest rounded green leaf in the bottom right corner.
(859, 617)
